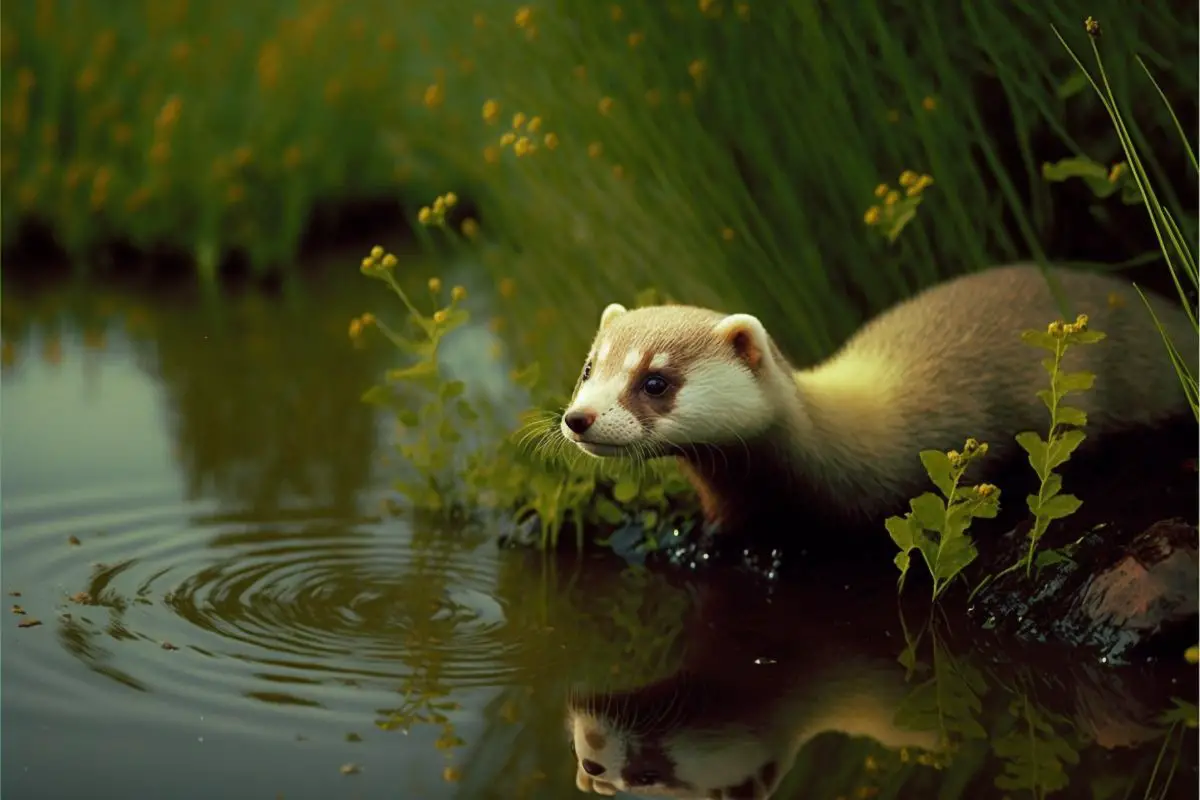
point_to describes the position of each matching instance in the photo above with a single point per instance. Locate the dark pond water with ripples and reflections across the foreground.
(193, 515)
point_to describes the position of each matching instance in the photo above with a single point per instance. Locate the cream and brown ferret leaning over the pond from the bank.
(839, 442)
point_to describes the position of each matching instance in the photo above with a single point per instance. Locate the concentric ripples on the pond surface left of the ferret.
(296, 611)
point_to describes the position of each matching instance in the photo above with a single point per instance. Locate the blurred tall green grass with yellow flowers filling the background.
(722, 152)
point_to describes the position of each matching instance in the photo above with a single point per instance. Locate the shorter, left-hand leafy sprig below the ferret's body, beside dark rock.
(937, 527)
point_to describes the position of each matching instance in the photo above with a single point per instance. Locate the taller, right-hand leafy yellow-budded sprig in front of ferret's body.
(1065, 435)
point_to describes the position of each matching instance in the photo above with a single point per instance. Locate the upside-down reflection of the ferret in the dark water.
(733, 732)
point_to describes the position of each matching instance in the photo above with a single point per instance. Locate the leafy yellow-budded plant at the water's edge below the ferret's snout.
(459, 462)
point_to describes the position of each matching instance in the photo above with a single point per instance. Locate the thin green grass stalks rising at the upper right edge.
(1177, 246)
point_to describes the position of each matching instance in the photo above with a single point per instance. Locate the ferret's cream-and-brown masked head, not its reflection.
(662, 380)
